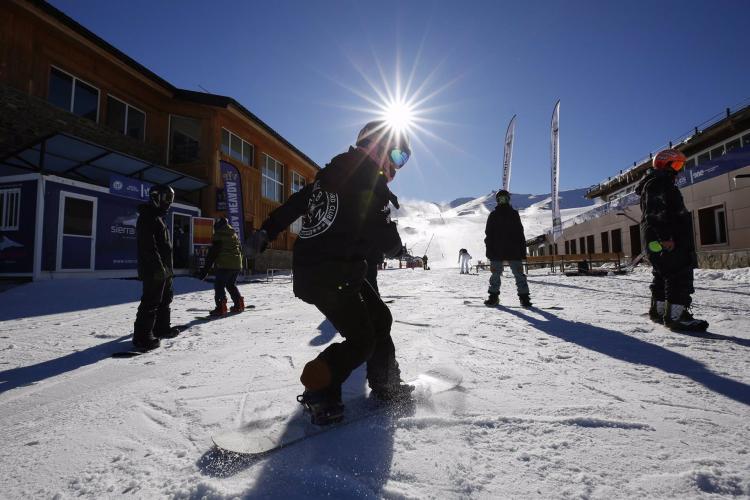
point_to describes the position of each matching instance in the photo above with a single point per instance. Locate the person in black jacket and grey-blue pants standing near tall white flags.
(505, 241)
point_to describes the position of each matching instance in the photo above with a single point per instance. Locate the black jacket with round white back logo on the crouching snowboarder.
(345, 214)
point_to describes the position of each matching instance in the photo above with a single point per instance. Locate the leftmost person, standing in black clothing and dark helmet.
(152, 322)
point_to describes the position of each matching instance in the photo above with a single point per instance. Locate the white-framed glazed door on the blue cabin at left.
(76, 232)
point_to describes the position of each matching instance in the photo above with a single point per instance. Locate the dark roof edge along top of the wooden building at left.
(183, 94)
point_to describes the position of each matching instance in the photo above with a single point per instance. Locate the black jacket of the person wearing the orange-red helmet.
(664, 215)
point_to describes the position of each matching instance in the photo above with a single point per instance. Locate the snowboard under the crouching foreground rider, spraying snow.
(264, 436)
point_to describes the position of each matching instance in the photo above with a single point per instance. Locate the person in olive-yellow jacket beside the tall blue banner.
(226, 255)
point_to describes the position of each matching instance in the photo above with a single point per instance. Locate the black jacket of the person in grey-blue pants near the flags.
(504, 235)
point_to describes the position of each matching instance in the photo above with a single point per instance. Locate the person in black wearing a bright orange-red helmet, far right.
(667, 227)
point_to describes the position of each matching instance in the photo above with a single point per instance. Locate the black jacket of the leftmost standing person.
(154, 245)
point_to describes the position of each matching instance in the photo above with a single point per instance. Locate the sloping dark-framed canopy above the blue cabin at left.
(71, 157)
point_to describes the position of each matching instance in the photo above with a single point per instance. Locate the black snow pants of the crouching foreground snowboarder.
(341, 293)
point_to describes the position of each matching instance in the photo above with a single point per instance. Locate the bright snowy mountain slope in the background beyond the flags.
(446, 232)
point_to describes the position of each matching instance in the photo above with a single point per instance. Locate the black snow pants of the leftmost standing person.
(153, 317)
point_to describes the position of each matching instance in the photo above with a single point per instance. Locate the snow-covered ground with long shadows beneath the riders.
(581, 398)
